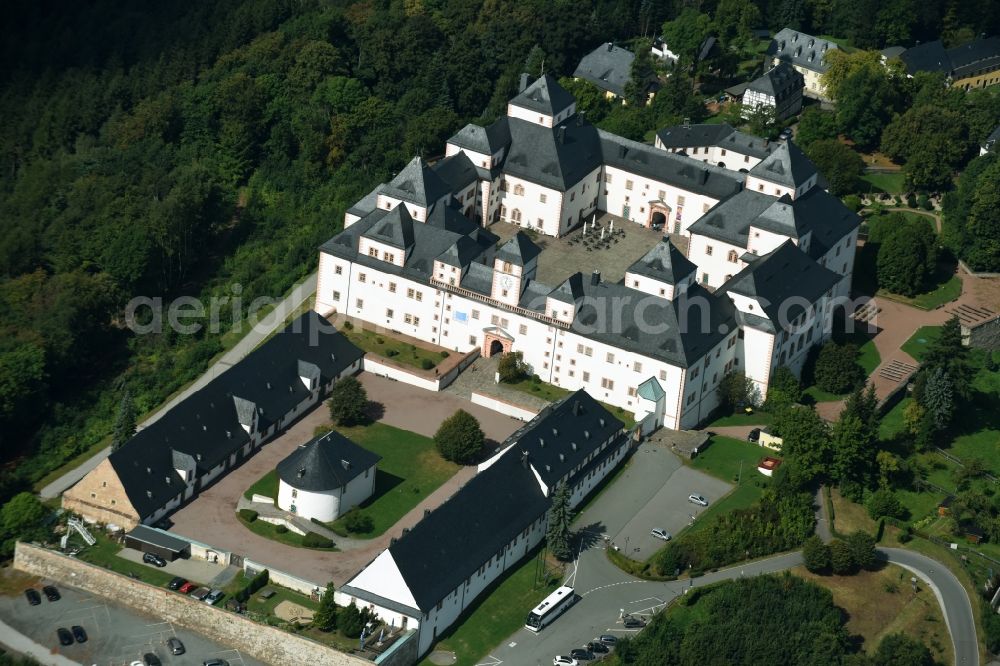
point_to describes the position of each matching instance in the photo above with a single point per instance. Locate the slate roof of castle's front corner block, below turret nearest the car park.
(678, 331)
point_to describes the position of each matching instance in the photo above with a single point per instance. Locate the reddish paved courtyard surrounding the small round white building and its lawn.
(211, 517)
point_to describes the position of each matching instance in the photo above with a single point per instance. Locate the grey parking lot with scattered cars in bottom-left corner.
(117, 635)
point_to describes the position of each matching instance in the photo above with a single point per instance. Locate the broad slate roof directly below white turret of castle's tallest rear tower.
(539, 155)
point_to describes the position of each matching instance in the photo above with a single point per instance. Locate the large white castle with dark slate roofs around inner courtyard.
(770, 251)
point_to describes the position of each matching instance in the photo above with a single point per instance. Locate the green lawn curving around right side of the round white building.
(410, 470)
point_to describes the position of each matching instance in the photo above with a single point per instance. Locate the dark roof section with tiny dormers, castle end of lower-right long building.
(563, 435)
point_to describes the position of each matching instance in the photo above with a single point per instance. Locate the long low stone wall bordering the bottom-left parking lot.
(266, 643)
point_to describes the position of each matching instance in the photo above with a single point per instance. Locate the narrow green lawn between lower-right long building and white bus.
(496, 616)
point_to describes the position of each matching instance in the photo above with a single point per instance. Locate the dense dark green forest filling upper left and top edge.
(206, 149)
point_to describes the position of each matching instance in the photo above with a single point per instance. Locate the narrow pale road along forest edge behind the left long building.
(249, 342)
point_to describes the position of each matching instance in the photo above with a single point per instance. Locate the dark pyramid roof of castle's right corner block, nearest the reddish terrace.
(782, 274)
